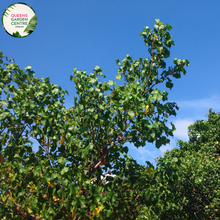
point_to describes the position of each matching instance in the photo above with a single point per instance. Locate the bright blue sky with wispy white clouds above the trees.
(83, 34)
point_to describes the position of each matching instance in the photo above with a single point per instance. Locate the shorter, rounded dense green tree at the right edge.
(193, 180)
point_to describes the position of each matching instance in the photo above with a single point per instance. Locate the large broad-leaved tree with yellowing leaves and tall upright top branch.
(90, 136)
